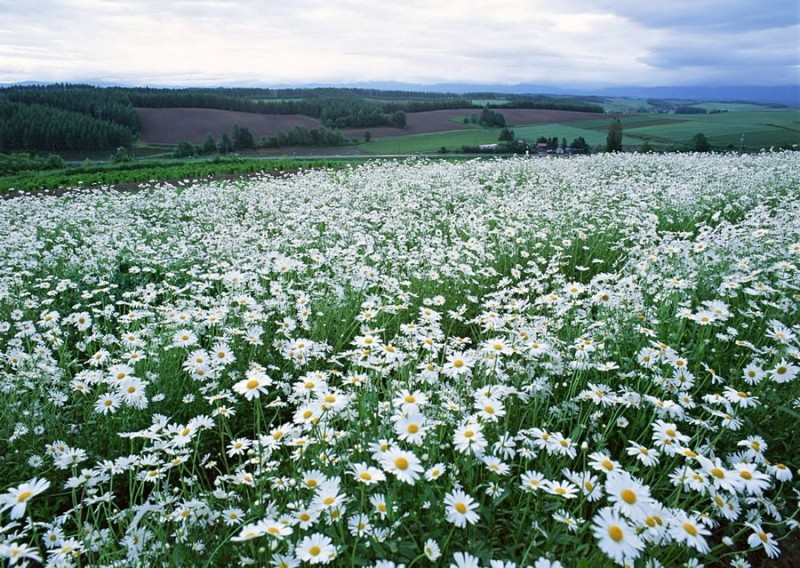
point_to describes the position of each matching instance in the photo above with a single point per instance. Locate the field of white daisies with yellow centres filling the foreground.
(579, 362)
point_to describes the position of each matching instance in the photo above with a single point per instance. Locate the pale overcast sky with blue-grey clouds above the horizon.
(547, 42)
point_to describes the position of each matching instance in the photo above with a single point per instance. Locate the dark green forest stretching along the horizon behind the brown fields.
(67, 117)
